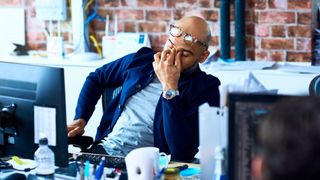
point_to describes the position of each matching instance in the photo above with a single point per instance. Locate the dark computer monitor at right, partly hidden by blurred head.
(246, 112)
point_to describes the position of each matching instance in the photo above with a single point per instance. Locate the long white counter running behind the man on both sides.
(76, 72)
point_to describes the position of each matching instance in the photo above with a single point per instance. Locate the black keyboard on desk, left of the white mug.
(111, 161)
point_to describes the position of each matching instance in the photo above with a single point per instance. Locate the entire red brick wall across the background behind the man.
(277, 30)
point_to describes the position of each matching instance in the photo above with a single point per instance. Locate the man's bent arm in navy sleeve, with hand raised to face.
(181, 125)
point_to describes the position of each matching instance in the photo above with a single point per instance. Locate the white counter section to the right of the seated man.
(288, 83)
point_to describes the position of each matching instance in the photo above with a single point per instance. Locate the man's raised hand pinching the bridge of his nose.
(167, 66)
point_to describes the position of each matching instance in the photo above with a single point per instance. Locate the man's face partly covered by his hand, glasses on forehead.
(191, 53)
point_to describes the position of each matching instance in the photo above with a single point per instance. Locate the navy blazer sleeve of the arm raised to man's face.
(180, 122)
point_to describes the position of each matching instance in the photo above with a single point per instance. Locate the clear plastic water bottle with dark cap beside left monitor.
(44, 158)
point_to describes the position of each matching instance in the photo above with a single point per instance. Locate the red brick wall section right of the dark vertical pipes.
(283, 30)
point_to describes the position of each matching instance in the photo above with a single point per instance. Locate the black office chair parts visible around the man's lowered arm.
(83, 142)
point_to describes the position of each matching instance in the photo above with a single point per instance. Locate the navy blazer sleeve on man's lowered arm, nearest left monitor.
(111, 74)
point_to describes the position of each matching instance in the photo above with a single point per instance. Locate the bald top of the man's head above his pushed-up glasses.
(196, 26)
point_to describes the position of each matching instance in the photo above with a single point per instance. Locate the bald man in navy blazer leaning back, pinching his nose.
(161, 93)
